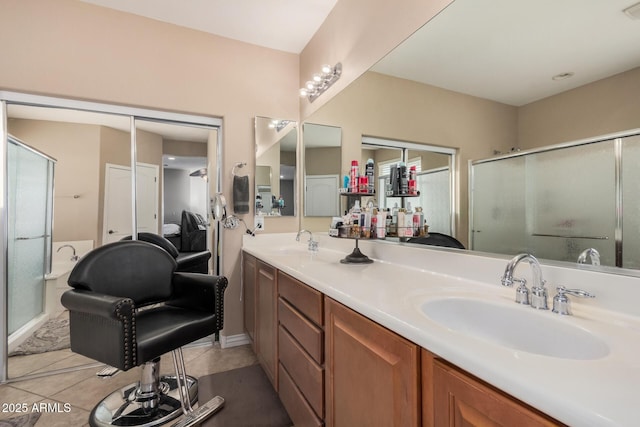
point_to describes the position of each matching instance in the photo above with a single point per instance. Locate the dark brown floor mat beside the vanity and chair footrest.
(250, 400)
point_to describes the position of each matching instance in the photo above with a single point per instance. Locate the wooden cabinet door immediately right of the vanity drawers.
(372, 374)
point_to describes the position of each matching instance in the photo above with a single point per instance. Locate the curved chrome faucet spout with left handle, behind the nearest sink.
(538, 297)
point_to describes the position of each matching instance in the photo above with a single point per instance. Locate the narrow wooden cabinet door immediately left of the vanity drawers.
(266, 320)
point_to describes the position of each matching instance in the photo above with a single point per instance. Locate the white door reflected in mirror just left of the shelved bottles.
(322, 195)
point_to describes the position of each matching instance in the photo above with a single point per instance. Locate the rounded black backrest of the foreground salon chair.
(130, 269)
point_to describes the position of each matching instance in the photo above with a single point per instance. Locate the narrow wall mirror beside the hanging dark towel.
(275, 174)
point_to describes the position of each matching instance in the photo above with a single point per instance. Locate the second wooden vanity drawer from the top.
(308, 335)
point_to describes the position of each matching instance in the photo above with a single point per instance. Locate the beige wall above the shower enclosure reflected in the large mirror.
(606, 106)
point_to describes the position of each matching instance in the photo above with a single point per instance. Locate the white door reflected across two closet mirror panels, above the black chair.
(117, 201)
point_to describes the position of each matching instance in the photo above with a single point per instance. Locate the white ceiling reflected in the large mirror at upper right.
(509, 50)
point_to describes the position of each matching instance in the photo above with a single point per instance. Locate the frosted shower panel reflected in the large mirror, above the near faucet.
(571, 201)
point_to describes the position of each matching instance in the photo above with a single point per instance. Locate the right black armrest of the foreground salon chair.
(200, 292)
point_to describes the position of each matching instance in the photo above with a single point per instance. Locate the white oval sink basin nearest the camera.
(518, 328)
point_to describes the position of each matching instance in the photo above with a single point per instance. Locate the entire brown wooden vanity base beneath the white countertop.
(334, 367)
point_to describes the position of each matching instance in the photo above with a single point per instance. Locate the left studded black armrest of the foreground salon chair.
(102, 327)
